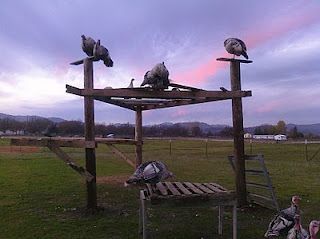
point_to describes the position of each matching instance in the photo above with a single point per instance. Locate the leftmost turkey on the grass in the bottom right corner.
(284, 220)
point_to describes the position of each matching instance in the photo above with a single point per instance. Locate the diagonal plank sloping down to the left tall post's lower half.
(65, 157)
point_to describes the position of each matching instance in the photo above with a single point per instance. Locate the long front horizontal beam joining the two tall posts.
(156, 94)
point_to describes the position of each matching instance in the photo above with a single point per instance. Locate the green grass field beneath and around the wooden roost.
(40, 197)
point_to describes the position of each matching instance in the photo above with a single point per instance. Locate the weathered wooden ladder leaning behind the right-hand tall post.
(258, 181)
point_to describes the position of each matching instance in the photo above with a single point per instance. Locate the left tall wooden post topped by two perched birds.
(89, 135)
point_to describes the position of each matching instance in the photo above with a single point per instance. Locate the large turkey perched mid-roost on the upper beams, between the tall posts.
(157, 77)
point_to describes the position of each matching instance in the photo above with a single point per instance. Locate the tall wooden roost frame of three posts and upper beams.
(141, 99)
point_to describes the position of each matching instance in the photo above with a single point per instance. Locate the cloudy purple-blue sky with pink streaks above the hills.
(39, 38)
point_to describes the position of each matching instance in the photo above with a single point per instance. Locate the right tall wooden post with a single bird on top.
(238, 134)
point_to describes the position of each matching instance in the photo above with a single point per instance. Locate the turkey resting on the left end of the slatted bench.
(150, 172)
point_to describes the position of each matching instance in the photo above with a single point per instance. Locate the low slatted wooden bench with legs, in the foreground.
(165, 191)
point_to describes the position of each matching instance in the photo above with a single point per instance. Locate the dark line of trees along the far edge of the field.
(76, 128)
